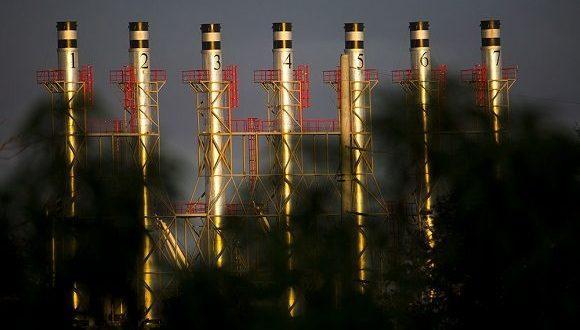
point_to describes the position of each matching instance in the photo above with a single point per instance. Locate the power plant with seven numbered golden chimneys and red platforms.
(257, 171)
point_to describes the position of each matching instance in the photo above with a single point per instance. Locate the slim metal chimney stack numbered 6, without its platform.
(421, 69)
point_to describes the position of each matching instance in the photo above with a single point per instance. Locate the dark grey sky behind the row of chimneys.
(540, 36)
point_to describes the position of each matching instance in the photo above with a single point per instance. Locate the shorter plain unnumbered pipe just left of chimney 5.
(345, 133)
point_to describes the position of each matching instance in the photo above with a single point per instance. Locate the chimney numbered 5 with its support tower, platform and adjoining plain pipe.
(361, 198)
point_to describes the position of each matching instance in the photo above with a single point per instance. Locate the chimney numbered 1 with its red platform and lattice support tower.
(71, 89)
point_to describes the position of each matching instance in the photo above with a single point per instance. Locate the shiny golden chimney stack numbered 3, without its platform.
(216, 125)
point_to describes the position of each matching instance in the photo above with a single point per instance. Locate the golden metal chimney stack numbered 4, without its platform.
(286, 115)
